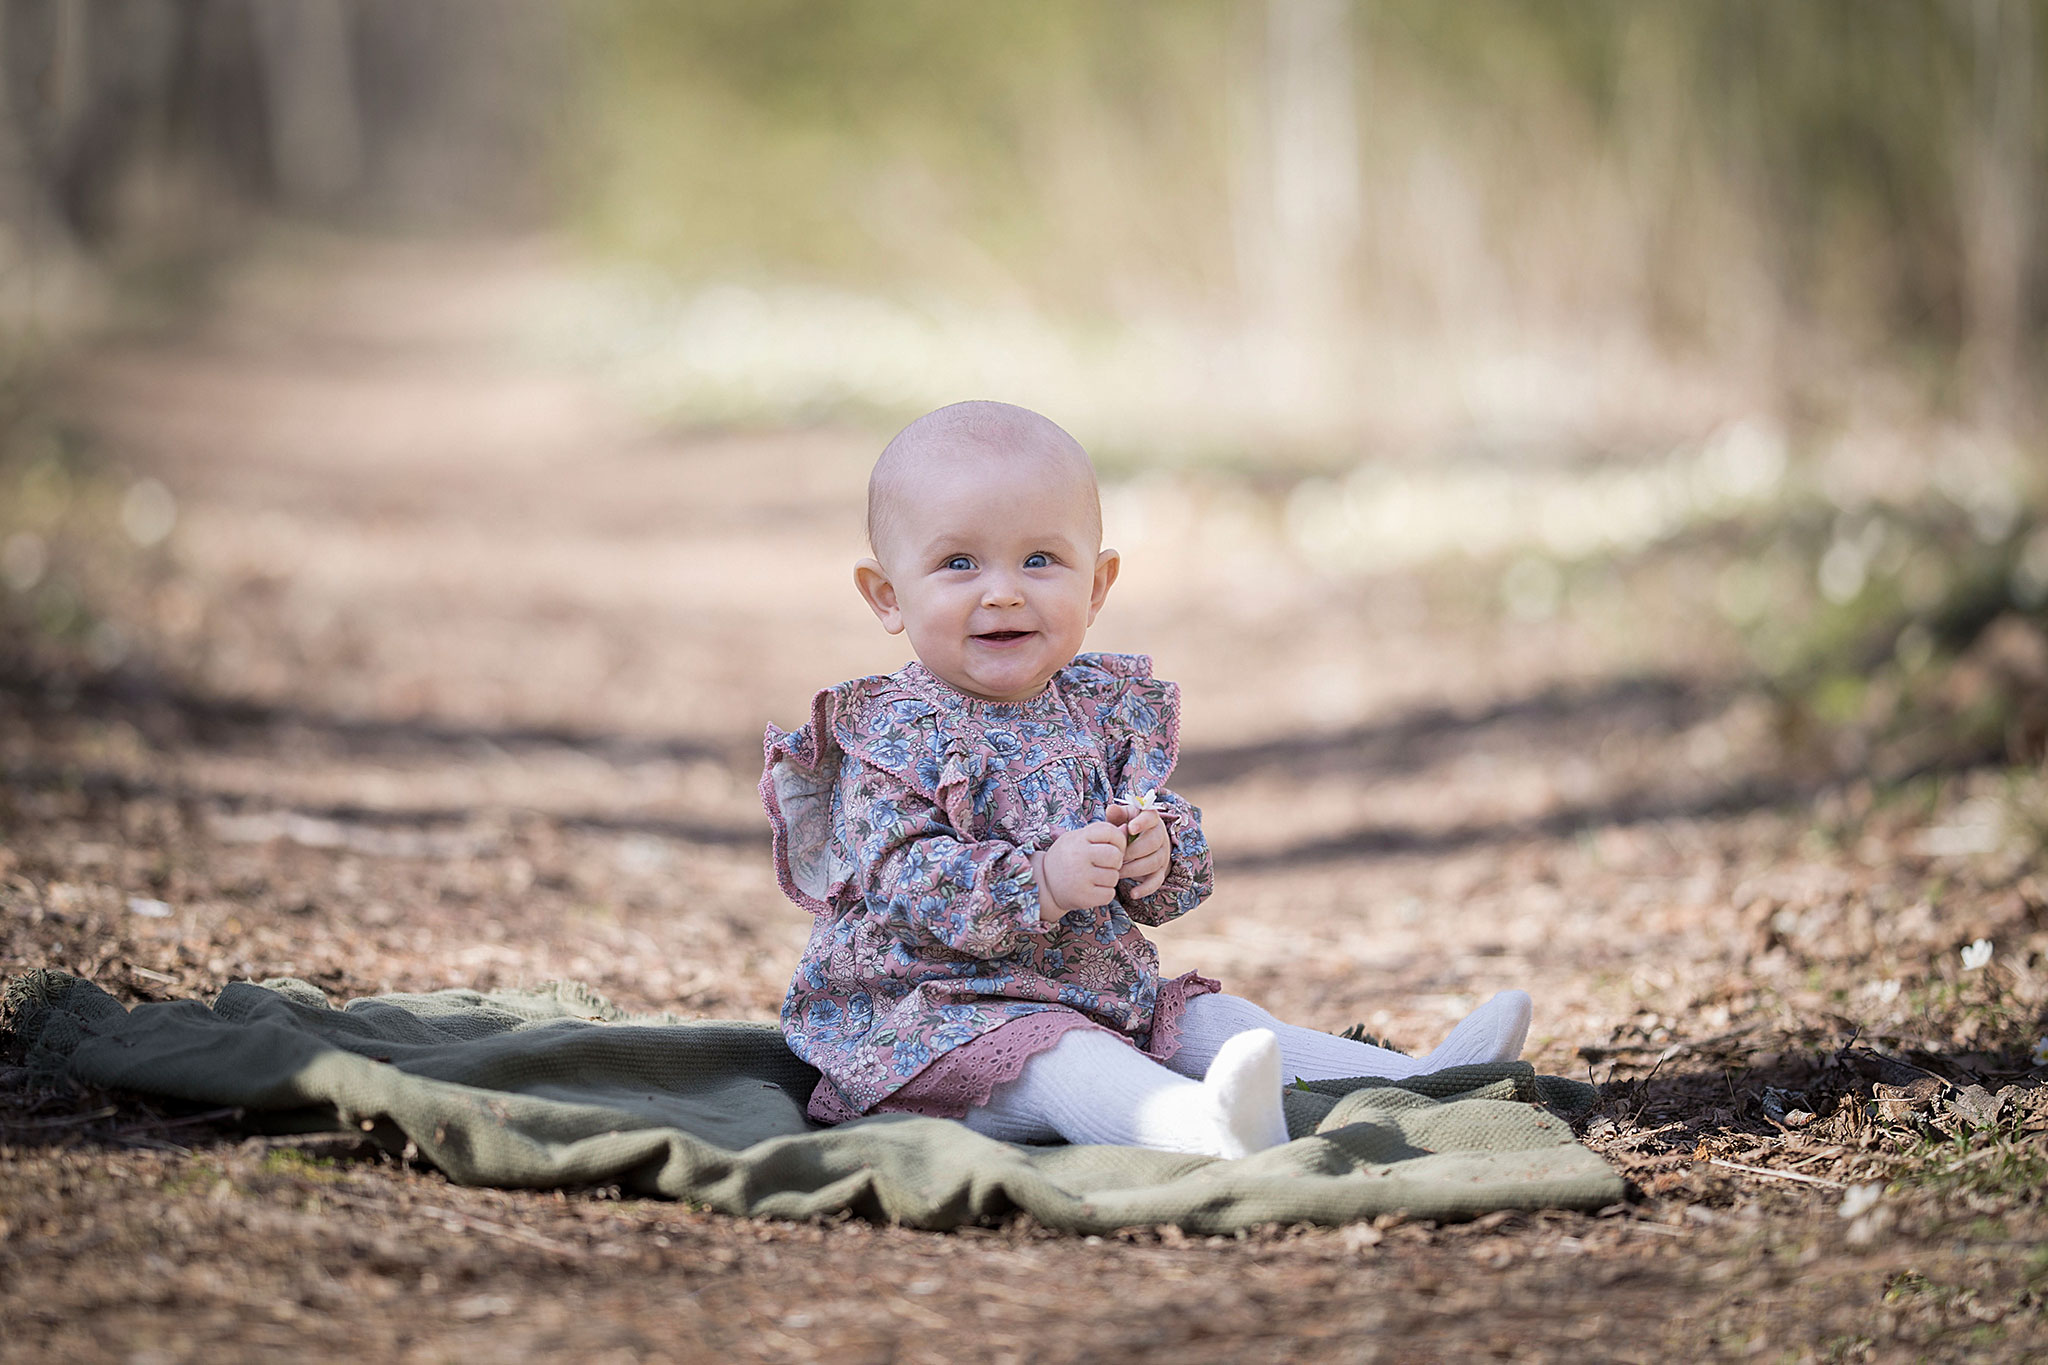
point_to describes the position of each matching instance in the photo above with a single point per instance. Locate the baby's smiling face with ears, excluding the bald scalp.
(994, 570)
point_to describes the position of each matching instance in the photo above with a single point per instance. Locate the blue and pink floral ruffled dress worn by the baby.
(904, 820)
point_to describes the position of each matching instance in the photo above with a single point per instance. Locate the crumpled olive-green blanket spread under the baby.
(558, 1088)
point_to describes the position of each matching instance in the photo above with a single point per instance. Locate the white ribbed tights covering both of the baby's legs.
(1095, 1088)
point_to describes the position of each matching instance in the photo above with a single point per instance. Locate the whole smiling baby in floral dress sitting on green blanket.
(982, 834)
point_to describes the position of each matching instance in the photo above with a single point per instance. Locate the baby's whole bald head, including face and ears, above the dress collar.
(988, 547)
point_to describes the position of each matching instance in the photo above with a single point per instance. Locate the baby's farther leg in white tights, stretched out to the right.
(1490, 1034)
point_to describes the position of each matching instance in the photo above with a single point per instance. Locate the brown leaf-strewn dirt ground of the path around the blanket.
(452, 670)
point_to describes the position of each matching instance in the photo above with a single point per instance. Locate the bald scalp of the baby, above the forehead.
(968, 433)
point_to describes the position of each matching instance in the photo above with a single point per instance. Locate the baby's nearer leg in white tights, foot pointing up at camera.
(1091, 1088)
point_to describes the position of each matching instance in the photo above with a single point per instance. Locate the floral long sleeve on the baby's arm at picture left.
(925, 883)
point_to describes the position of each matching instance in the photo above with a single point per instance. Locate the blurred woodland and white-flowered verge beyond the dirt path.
(1549, 288)
